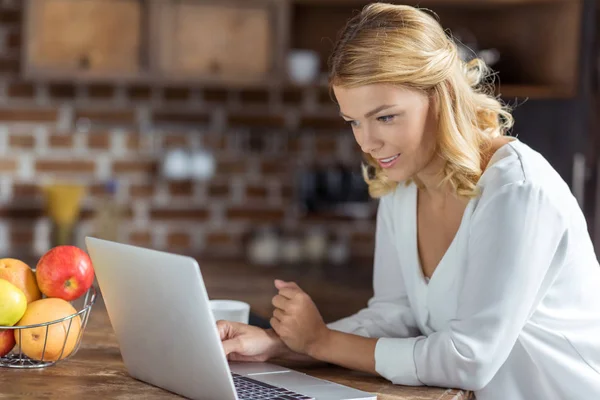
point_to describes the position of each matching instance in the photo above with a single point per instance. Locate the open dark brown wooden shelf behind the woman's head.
(538, 40)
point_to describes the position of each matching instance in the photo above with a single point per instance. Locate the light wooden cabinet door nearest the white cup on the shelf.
(230, 41)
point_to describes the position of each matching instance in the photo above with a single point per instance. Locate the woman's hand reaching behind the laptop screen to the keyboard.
(243, 342)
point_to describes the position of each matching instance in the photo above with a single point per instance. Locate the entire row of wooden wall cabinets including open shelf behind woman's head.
(247, 42)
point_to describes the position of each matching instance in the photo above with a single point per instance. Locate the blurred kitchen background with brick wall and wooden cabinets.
(206, 127)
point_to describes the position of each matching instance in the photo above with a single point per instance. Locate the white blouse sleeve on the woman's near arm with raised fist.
(516, 237)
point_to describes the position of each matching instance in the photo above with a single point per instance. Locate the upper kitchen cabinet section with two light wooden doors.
(228, 41)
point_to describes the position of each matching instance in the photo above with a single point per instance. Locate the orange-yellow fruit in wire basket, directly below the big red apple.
(32, 339)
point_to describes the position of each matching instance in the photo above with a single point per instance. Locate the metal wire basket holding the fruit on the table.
(58, 340)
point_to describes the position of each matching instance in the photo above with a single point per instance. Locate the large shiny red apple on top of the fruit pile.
(65, 272)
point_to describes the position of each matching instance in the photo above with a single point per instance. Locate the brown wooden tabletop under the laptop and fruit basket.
(97, 370)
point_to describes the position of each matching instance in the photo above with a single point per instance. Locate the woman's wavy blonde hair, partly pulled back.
(406, 46)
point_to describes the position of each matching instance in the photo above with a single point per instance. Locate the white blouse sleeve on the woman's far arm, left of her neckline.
(388, 313)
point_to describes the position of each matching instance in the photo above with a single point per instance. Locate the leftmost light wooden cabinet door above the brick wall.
(83, 37)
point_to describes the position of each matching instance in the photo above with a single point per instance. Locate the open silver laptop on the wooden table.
(159, 309)
